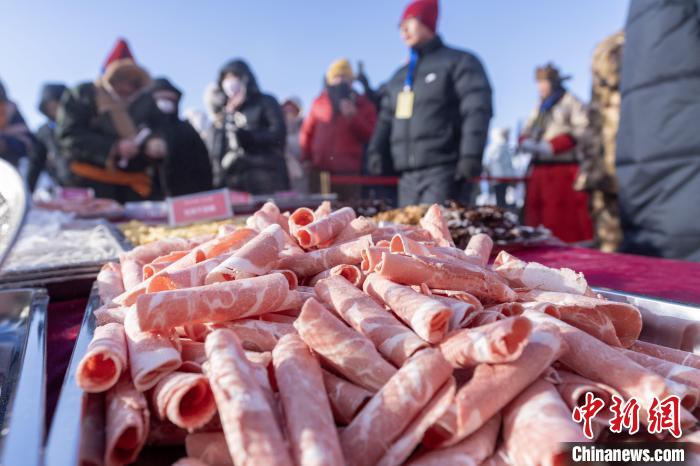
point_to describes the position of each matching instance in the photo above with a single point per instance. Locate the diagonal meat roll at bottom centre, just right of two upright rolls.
(392, 409)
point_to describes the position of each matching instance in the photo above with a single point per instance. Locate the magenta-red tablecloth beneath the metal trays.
(674, 280)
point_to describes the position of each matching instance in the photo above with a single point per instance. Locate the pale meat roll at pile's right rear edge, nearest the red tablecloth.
(521, 274)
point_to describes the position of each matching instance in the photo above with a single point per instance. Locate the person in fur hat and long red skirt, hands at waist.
(552, 135)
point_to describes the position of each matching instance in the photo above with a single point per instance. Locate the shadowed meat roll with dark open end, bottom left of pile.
(127, 420)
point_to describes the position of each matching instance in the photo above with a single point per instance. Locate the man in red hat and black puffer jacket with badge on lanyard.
(434, 116)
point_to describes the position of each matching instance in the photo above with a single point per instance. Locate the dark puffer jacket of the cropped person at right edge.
(658, 145)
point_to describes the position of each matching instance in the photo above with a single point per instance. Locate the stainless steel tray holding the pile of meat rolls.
(63, 445)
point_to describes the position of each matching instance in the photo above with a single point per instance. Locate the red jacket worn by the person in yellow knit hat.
(334, 142)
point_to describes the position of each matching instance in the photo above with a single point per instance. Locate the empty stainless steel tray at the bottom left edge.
(22, 369)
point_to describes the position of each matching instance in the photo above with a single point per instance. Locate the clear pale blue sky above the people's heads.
(290, 43)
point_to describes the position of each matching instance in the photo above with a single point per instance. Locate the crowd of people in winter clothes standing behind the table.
(122, 135)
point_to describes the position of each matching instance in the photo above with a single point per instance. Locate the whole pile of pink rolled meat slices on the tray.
(319, 338)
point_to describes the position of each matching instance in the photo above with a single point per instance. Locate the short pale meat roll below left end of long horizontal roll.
(152, 355)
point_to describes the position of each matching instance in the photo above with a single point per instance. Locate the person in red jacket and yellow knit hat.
(337, 129)
